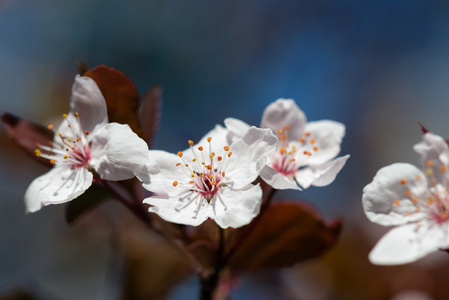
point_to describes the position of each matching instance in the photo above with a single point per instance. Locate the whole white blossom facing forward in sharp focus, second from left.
(212, 179)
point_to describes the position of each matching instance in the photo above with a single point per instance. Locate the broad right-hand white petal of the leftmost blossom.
(117, 152)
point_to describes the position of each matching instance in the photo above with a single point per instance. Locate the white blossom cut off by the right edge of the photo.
(415, 200)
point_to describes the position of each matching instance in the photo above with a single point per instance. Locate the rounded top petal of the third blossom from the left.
(284, 112)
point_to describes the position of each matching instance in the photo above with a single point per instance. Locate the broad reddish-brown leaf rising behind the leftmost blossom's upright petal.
(122, 98)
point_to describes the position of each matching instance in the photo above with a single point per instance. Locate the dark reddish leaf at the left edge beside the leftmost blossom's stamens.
(27, 135)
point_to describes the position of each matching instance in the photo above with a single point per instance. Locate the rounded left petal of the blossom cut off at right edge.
(392, 198)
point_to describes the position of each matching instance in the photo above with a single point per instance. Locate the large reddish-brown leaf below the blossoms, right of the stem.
(288, 233)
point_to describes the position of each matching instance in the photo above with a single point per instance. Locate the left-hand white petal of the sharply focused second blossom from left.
(165, 173)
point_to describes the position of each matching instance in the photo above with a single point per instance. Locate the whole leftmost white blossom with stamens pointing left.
(85, 143)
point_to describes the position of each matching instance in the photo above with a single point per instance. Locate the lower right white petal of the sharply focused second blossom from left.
(240, 206)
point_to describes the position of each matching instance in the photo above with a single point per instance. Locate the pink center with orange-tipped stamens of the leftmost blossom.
(71, 149)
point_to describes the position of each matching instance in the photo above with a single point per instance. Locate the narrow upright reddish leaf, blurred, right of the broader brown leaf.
(150, 112)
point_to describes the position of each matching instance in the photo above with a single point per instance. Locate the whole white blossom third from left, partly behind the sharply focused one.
(306, 151)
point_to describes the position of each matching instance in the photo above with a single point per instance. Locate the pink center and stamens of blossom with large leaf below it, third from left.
(291, 155)
